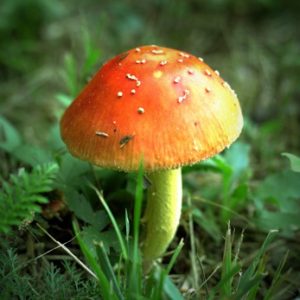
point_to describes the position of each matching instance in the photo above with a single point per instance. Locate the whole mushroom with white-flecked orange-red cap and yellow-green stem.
(161, 106)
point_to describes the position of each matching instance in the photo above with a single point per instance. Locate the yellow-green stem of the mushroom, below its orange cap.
(162, 212)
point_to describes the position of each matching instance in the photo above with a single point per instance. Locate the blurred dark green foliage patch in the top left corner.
(21, 27)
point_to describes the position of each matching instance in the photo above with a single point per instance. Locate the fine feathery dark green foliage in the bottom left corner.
(51, 283)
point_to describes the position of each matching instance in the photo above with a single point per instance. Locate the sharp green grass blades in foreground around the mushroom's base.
(126, 279)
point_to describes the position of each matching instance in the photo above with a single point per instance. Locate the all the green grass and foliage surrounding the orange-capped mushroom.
(93, 213)
